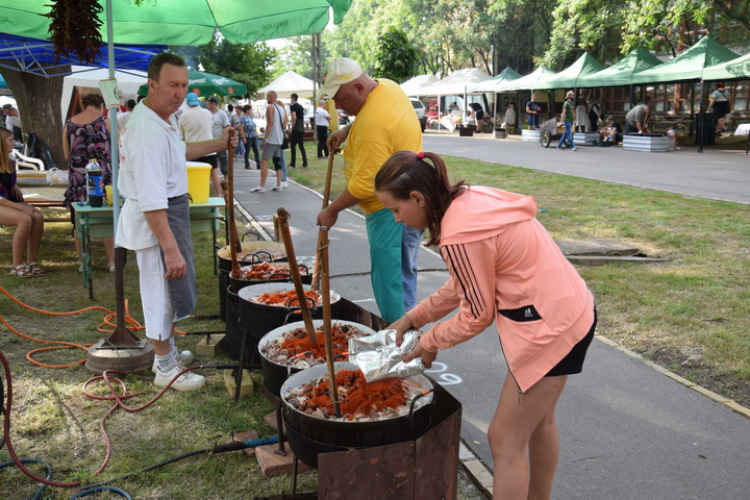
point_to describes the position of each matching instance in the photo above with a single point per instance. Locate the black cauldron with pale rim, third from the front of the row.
(259, 319)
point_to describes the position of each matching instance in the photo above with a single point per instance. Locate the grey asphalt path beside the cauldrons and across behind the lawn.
(628, 429)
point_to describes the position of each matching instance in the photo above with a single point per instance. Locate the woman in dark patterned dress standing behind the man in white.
(87, 137)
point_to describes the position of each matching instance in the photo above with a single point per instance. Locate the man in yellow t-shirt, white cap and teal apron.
(385, 124)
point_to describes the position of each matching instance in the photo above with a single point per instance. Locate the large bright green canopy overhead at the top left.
(187, 22)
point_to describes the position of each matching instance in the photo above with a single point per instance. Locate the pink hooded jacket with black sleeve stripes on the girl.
(504, 266)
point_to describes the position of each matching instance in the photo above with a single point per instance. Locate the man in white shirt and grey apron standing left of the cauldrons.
(155, 219)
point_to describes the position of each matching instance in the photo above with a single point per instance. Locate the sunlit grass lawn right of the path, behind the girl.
(690, 314)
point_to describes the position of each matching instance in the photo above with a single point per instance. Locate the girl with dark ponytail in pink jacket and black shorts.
(504, 267)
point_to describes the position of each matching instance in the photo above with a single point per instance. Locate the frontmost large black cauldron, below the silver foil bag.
(308, 436)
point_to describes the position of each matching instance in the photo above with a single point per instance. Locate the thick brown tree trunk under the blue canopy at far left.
(38, 99)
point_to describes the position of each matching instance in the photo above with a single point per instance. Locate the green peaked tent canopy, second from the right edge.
(689, 65)
